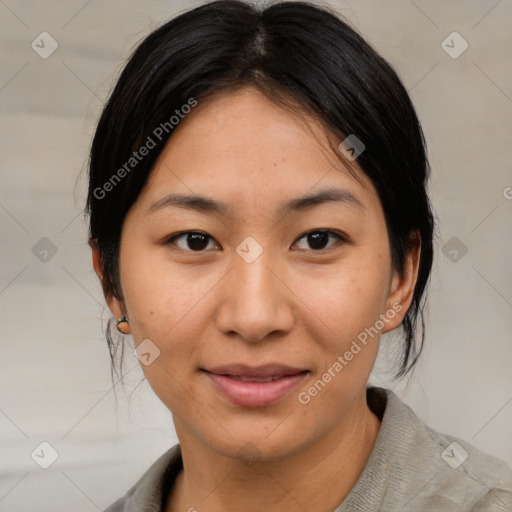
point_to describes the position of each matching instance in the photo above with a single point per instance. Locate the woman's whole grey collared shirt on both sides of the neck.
(411, 468)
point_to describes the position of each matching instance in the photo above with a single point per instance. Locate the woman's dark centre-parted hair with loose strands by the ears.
(299, 54)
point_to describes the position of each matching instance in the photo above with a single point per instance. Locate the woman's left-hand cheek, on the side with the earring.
(169, 307)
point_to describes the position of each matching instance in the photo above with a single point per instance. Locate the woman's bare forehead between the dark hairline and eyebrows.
(242, 145)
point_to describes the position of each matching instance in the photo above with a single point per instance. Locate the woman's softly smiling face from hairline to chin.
(257, 299)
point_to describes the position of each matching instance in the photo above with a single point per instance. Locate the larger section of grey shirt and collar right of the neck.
(423, 469)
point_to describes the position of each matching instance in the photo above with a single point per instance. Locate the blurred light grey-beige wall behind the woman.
(54, 361)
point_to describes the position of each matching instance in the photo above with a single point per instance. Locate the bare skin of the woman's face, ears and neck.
(294, 305)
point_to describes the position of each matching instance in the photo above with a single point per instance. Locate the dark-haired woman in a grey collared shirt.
(258, 219)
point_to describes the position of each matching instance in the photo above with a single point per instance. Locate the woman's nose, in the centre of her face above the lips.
(255, 300)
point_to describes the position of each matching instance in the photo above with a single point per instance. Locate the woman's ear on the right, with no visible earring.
(402, 285)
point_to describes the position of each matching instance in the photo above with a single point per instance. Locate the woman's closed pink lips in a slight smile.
(255, 386)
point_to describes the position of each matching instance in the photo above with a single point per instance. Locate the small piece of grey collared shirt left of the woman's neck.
(148, 493)
